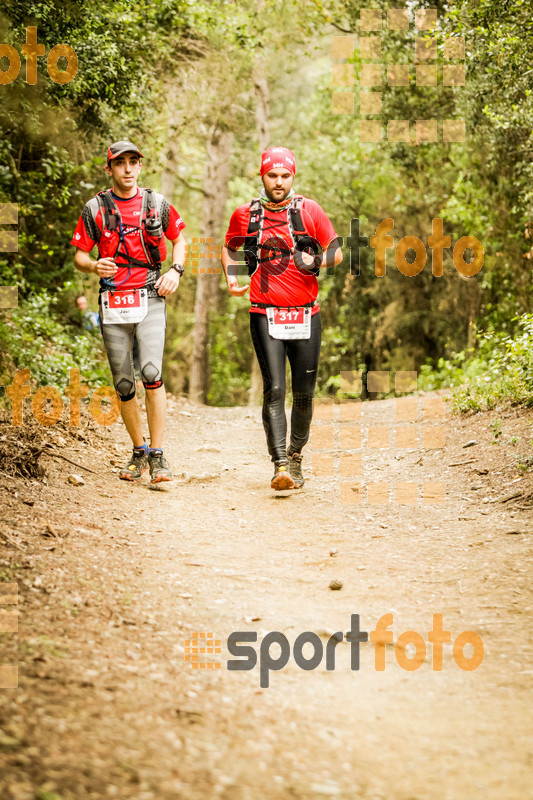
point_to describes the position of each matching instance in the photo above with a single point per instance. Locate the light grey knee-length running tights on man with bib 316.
(150, 335)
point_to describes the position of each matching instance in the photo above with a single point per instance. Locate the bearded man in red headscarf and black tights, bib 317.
(286, 238)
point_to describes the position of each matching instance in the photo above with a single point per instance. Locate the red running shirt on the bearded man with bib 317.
(278, 282)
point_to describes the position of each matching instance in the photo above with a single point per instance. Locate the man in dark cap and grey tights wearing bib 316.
(129, 226)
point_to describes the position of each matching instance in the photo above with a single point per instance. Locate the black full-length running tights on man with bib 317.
(303, 359)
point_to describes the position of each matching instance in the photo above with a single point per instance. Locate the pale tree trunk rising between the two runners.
(217, 174)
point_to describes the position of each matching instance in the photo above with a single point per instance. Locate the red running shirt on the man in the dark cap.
(87, 234)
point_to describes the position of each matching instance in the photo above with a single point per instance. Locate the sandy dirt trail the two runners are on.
(107, 706)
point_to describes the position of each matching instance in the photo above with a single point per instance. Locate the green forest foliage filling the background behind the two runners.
(156, 70)
